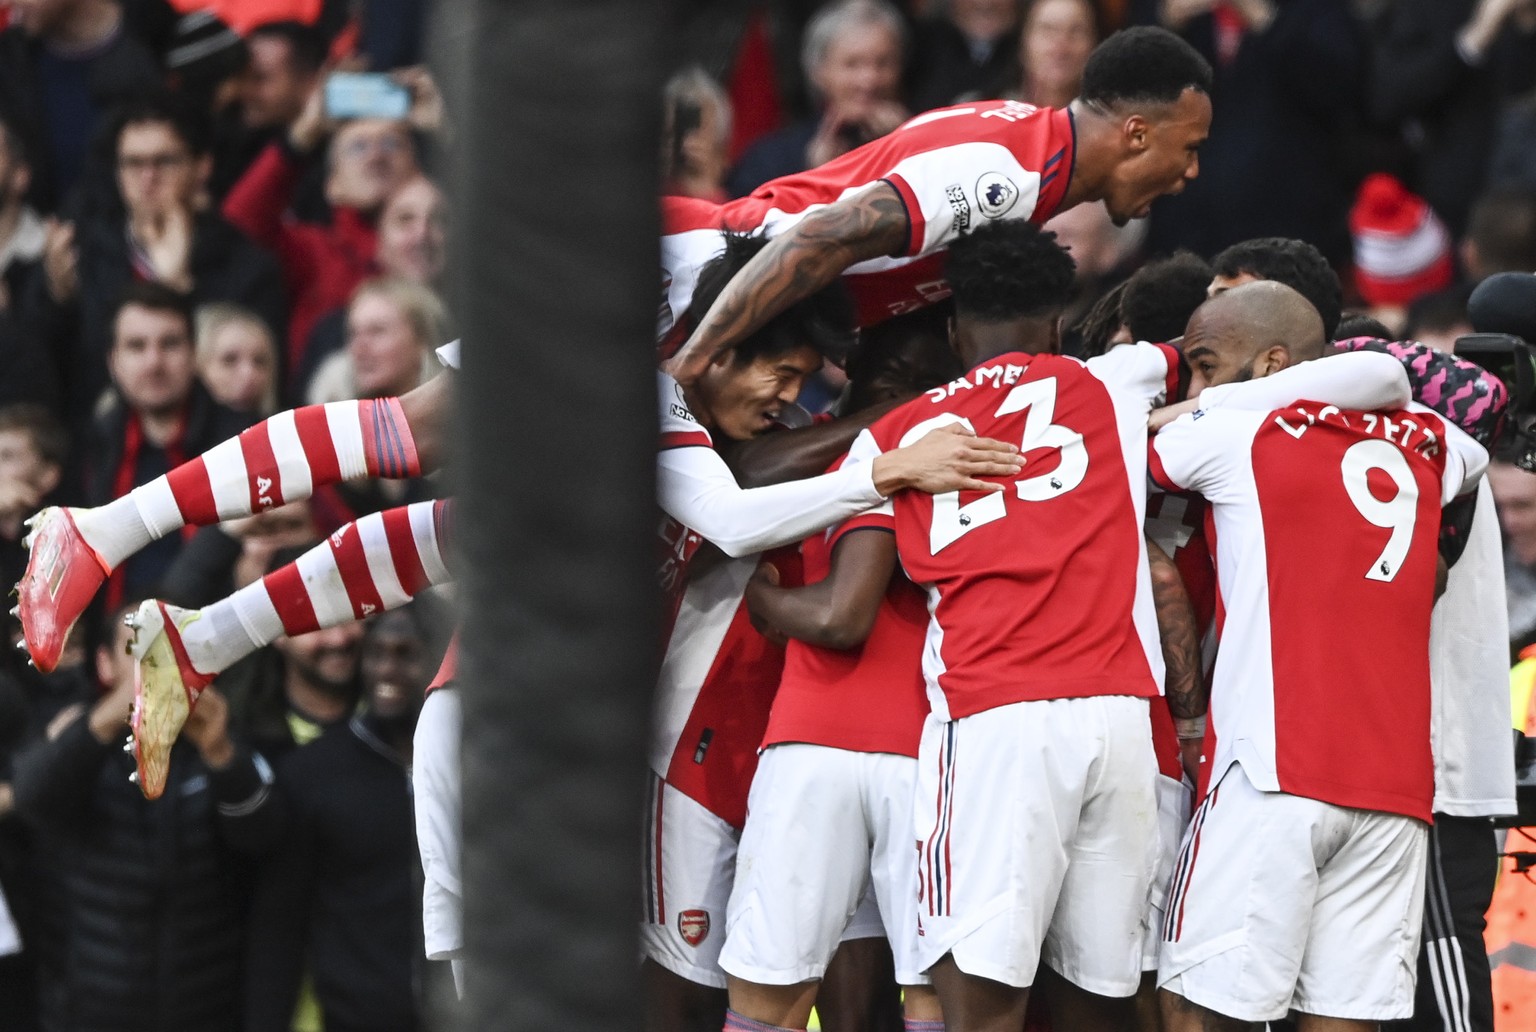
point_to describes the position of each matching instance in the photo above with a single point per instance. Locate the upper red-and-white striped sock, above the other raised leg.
(277, 461)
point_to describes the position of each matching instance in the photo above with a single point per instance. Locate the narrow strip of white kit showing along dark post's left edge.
(435, 787)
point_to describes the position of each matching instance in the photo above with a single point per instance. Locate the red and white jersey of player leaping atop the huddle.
(955, 168)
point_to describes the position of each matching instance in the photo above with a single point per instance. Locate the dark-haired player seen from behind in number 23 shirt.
(1042, 652)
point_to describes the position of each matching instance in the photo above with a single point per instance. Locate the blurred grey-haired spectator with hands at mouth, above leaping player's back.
(853, 61)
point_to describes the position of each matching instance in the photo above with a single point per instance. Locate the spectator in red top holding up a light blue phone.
(366, 162)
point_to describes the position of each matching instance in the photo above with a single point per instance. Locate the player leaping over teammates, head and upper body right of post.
(882, 214)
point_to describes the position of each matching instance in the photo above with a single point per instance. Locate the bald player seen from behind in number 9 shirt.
(1313, 795)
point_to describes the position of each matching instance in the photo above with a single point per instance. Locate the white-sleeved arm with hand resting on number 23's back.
(698, 491)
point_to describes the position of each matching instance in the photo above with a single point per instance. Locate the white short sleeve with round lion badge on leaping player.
(952, 191)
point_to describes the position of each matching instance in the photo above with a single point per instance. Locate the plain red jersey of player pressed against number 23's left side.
(866, 700)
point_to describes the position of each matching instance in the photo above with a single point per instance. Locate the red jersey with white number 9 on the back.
(1322, 687)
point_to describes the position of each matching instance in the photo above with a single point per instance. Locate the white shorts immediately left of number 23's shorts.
(824, 827)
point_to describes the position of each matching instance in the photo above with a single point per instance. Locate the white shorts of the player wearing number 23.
(1038, 827)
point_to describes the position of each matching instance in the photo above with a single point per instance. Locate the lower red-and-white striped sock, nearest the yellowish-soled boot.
(380, 563)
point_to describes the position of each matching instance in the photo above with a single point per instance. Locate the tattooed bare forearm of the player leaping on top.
(873, 223)
